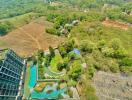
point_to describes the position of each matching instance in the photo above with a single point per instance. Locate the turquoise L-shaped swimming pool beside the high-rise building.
(41, 95)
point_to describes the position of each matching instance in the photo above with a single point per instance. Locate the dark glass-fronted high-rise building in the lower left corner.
(11, 75)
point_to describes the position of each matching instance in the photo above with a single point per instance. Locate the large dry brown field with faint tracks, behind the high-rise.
(30, 37)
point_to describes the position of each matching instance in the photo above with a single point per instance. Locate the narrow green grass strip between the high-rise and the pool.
(26, 88)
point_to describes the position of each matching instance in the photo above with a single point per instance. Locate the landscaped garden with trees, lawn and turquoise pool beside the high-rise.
(52, 73)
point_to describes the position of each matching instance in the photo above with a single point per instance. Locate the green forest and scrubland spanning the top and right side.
(103, 48)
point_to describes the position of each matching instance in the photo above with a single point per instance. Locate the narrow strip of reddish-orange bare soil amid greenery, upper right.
(116, 24)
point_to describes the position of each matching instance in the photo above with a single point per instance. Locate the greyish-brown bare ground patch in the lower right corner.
(113, 86)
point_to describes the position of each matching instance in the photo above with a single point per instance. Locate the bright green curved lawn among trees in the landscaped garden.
(53, 64)
